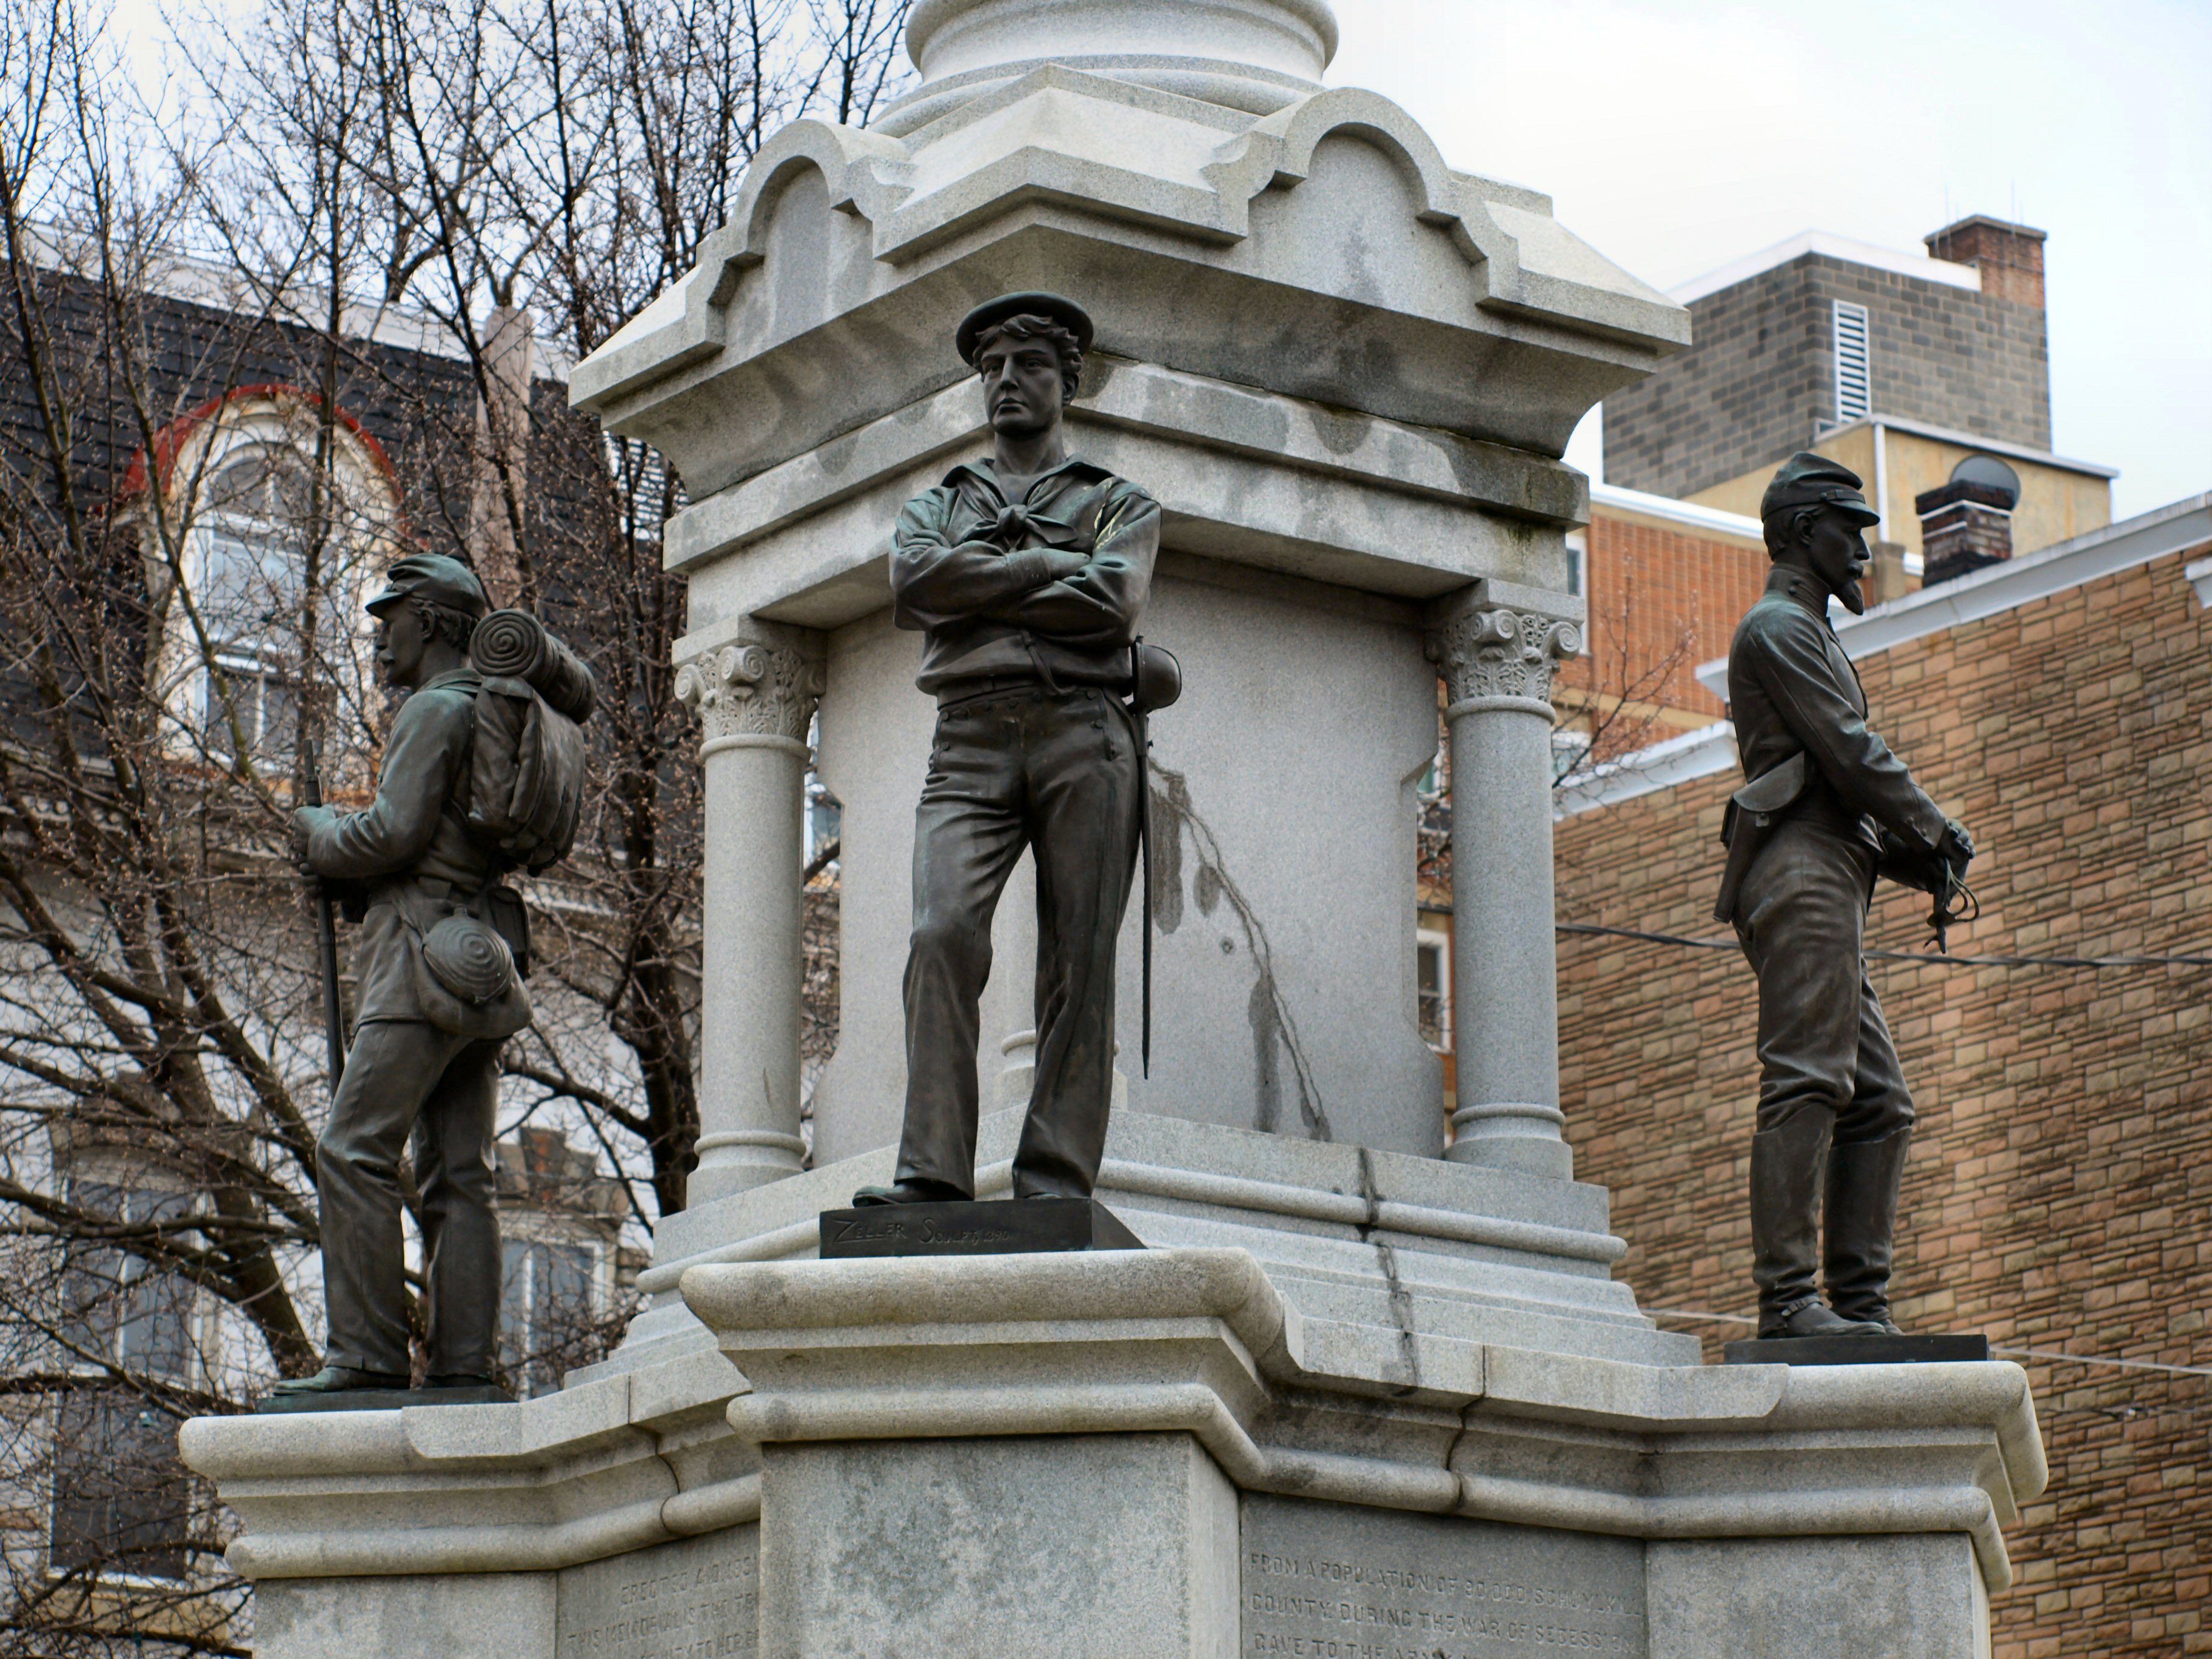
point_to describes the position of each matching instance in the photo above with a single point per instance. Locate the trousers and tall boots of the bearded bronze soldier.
(1835, 1116)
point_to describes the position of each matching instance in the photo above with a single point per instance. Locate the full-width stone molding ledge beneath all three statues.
(1193, 1342)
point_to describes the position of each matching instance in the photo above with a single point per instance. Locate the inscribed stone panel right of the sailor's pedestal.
(1342, 1583)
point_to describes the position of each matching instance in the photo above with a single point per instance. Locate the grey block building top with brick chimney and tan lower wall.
(1903, 366)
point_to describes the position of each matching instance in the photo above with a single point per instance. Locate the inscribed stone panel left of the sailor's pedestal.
(698, 1598)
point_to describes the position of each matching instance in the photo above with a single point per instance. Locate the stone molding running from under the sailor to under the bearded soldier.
(1200, 1342)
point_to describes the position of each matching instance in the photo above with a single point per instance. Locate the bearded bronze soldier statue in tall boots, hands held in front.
(1826, 811)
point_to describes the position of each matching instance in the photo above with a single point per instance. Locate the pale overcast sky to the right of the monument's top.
(1678, 136)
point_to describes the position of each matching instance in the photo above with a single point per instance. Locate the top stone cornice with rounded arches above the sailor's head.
(1198, 209)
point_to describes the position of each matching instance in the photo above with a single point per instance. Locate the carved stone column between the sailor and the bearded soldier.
(1496, 647)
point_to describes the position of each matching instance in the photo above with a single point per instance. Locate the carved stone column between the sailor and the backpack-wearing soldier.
(755, 696)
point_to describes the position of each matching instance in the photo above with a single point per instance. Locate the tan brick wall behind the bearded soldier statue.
(2060, 1189)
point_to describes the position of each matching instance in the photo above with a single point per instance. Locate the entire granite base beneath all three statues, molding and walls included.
(1123, 1454)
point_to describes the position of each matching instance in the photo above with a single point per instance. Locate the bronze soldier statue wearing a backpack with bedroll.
(483, 775)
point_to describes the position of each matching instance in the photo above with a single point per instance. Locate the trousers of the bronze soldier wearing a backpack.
(406, 1076)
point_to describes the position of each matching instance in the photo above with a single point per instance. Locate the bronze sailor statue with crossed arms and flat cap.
(1025, 574)
